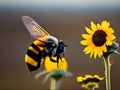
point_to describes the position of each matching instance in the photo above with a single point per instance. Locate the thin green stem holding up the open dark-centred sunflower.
(107, 72)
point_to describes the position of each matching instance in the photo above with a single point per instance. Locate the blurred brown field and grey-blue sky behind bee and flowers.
(64, 19)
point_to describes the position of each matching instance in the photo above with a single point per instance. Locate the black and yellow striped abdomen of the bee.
(34, 55)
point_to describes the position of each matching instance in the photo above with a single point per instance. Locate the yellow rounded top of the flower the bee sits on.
(49, 65)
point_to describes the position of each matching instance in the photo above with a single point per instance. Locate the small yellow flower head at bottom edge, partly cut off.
(89, 81)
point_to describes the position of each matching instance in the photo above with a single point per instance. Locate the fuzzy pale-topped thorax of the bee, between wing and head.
(51, 45)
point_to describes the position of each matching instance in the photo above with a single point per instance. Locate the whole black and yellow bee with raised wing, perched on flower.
(44, 45)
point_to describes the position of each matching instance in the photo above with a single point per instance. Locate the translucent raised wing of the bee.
(33, 27)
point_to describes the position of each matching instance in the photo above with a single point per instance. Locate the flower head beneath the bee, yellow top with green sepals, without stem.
(54, 69)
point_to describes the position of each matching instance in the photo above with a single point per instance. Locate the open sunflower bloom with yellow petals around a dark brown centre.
(98, 37)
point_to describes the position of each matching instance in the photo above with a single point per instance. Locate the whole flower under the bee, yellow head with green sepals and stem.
(54, 71)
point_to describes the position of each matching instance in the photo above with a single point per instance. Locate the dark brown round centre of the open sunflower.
(99, 38)
